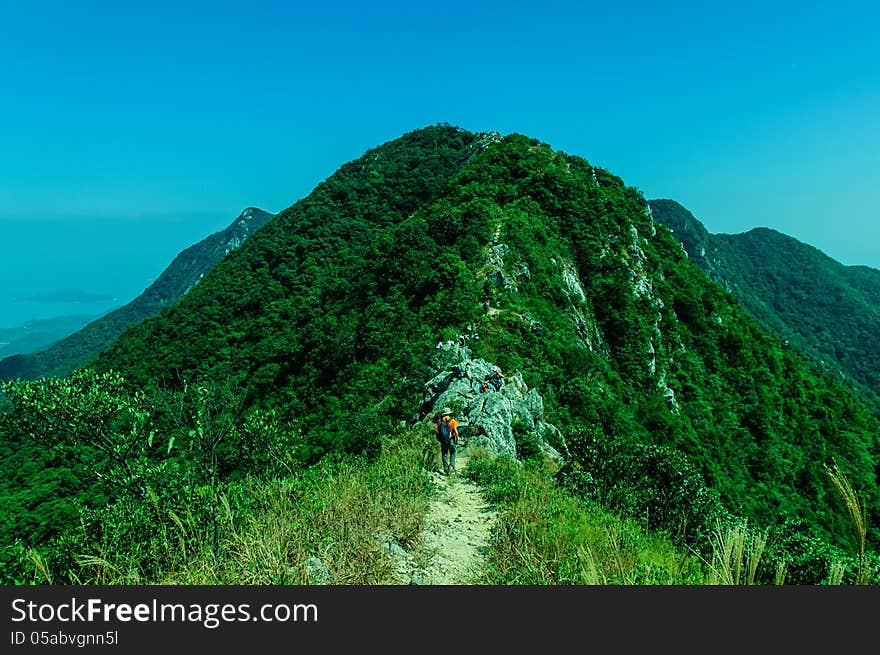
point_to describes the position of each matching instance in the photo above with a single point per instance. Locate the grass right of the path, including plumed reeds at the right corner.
(547, 536)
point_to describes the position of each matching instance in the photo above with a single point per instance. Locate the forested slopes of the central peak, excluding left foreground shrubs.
(672, 399)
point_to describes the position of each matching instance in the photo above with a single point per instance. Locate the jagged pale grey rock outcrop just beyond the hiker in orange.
(490, 420)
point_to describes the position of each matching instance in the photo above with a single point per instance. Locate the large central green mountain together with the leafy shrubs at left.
(320, 338)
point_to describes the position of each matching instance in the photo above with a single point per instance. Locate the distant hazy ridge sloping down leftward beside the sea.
(84, 345)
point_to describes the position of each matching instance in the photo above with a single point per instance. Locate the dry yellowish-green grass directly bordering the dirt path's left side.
(322, 528)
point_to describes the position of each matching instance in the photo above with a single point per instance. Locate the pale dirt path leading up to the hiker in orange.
(455, 536)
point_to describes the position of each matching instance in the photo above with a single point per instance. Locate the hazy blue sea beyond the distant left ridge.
(60, 267)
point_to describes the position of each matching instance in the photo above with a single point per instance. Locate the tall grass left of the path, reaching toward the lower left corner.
(324, 525)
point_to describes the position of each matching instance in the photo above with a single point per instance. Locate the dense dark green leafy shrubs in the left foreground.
(87, 464)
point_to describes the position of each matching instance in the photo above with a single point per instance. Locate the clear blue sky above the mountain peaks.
(748, 113)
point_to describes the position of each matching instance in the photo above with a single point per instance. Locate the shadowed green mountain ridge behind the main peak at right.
(815, 304)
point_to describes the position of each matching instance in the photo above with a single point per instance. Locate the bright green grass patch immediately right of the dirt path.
(546, 536)
